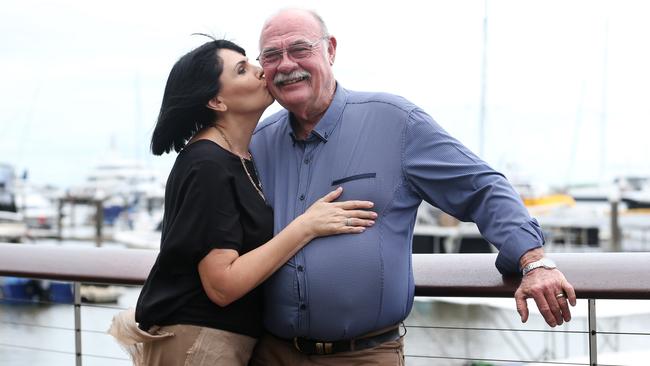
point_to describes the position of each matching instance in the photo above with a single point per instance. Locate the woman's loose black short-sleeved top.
(209, 203)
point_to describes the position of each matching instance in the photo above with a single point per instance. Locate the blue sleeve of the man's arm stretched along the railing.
(445, 173)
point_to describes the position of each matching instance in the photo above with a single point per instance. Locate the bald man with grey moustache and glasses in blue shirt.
(341, 298)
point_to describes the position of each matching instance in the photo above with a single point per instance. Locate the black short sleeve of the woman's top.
(207, 218)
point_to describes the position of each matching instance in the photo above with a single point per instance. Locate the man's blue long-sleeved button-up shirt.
(382, 148)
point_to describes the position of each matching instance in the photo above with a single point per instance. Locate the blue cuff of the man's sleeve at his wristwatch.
(528, 236)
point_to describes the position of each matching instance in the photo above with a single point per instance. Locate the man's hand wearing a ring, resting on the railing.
(552, 294)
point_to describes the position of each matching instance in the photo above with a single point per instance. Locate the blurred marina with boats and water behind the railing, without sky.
(36, 315)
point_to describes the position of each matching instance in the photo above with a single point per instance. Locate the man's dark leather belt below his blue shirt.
(315, 347)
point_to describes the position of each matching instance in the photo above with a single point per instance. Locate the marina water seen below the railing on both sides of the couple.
(21, 344)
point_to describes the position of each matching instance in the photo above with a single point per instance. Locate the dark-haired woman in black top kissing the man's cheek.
(201, 303)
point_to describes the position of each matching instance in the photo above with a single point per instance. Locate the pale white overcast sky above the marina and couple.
(567, 82)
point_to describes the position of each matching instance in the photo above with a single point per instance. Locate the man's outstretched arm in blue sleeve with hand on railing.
(448, 175)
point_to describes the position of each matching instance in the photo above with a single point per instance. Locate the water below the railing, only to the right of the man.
(526, 342)
